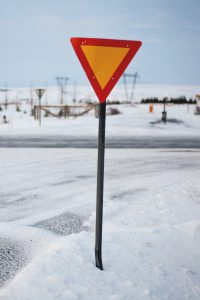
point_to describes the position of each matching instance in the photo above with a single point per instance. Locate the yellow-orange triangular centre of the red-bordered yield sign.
(104, 61)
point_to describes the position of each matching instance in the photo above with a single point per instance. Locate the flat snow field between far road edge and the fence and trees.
(132, 121)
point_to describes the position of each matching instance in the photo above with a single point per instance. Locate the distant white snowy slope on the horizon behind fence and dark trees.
(85, 92)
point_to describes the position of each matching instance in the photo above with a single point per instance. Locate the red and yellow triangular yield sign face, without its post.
(104, 61)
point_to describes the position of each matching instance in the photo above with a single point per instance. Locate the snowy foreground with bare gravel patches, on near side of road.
(151, 234)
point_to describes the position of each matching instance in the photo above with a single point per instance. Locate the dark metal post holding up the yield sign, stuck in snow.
(100, 182)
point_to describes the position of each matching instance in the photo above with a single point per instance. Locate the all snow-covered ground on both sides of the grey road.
(151, 229)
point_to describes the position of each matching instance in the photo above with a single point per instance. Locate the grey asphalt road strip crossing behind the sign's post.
(91, 142)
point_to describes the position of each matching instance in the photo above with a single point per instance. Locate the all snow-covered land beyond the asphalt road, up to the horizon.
(133, 120)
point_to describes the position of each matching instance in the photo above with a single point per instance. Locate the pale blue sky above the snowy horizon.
(35, 47)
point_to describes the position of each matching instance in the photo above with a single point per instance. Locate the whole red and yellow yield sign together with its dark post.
(104, 61)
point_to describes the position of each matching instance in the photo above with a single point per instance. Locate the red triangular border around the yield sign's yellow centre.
(133, 46)
